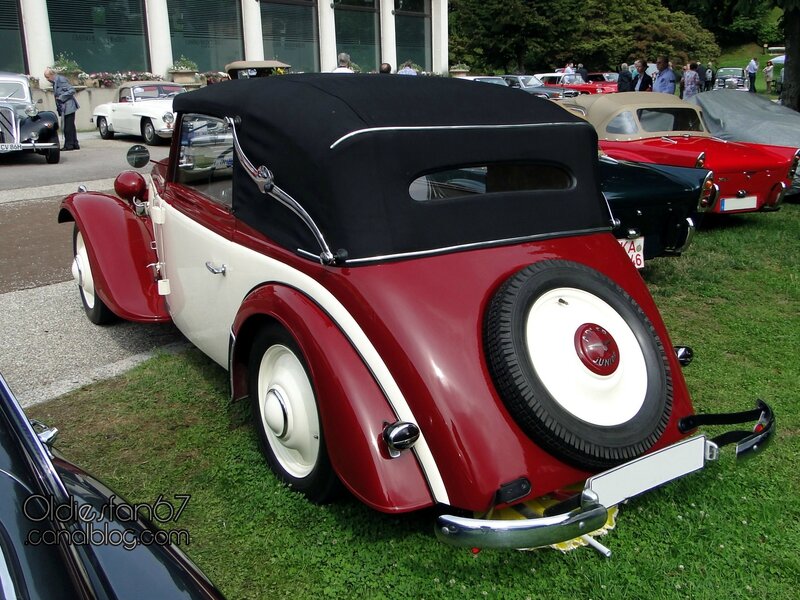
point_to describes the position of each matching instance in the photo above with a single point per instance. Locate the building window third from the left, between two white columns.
(208, 32)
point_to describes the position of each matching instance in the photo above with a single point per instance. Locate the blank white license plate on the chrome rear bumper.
(645, 473)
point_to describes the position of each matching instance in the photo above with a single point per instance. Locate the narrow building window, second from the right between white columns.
(358, 32)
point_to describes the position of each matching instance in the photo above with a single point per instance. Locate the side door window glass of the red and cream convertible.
(206, 157)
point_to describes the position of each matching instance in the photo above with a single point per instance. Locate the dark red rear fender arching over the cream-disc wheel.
(353, 409)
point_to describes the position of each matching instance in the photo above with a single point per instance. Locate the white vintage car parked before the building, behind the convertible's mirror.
(142, 108)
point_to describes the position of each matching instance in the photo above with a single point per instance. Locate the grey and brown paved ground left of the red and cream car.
(47, 345)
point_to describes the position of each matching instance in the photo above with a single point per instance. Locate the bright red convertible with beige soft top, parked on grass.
(660, 128)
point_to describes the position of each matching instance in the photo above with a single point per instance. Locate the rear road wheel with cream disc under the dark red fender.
(285, 413)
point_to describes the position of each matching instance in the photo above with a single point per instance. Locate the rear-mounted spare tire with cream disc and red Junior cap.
(578, 364)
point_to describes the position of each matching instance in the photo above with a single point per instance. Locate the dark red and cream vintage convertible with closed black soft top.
(399, 329)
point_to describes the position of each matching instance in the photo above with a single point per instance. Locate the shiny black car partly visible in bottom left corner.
(63, 534)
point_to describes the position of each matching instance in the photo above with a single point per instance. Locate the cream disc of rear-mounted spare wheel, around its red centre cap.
(603, 400)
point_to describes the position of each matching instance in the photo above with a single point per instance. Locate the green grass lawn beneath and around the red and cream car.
(731, 531)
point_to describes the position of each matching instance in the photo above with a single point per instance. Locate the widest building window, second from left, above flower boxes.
(102, 35)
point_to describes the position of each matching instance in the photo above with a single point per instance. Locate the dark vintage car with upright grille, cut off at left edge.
(23, 127)
